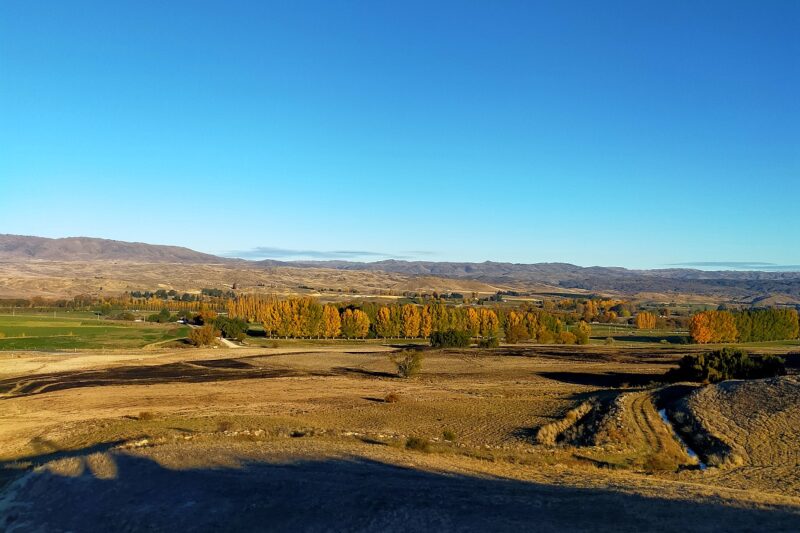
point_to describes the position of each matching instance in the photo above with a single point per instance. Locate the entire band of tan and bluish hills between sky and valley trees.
(39, 262)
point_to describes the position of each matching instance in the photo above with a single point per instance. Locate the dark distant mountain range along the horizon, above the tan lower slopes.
(744, 286)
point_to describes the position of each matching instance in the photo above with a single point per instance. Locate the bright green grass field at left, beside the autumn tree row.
(31, 332)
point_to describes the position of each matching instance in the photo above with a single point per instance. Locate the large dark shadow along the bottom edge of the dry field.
(349, 495)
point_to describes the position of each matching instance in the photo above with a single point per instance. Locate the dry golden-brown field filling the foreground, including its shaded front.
(231, 439)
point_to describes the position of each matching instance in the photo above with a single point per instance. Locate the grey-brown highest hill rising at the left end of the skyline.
(20, 247)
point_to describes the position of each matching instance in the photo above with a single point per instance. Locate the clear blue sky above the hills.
(640, 134)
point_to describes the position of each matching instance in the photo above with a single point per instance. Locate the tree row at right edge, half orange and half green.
(750, 325)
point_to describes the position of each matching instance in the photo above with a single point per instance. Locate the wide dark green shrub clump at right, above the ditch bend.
(727, 363)
